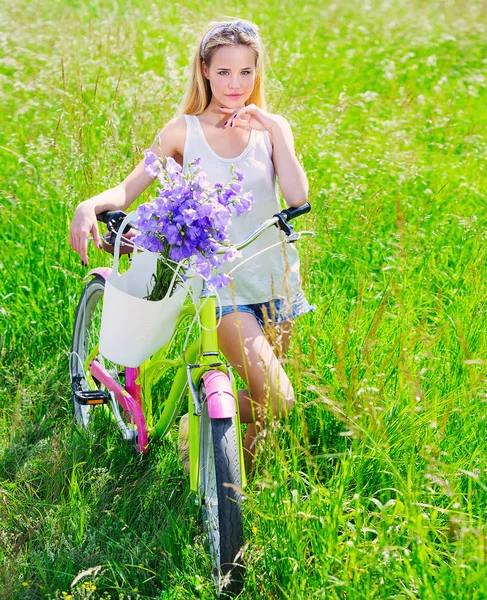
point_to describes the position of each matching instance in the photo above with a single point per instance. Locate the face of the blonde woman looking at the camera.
(231, 75)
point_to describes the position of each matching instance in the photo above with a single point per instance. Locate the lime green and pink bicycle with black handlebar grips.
(216, 471)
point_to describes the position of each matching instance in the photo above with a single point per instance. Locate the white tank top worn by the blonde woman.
(273, 273)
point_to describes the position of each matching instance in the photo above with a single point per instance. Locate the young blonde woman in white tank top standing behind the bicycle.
(223, 121)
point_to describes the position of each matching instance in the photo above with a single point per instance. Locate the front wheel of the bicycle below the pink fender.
(221, 492)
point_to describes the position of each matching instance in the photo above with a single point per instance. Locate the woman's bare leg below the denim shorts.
(255, 357)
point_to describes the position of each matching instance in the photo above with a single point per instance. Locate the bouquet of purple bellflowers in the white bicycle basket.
(189, 217)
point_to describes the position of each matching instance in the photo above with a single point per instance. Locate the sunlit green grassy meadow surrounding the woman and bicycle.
(376, 485)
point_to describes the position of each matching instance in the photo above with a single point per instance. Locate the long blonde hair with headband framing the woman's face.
(222, 33)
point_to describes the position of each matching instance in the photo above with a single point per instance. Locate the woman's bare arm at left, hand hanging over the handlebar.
(169, 142)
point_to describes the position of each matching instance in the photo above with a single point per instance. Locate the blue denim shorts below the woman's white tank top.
(272, 312)
